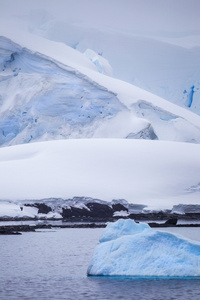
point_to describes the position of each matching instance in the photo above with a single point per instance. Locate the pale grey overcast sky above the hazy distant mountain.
(134, 15)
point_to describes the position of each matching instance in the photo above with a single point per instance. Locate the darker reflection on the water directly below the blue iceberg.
(147, 288)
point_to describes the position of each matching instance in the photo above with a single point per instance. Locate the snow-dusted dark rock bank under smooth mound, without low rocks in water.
(83, 209)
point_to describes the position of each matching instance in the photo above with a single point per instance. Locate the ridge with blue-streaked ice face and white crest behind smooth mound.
(45, 99)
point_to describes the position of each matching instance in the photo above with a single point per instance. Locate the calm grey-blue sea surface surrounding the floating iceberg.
(52, 264)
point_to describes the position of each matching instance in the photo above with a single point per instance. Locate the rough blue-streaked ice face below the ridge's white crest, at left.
(42, 100)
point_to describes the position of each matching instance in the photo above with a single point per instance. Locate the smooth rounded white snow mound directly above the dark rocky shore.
(155, 173)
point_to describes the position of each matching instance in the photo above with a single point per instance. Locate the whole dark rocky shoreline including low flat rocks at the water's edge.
(81, 212)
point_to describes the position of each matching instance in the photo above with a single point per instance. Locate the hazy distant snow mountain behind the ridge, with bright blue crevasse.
(171, 71)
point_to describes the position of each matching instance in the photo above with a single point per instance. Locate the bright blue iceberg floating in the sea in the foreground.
(130, 249)
